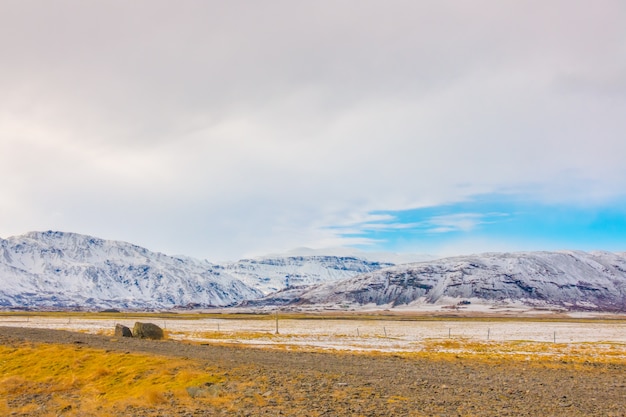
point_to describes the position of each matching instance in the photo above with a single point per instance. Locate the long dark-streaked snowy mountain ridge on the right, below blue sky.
(570, 279)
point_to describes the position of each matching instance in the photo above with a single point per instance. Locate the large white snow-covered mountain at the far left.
(65, 270)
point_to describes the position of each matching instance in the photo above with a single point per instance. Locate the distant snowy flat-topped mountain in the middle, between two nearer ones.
(276, 273)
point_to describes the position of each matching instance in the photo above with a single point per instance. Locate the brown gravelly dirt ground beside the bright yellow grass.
(333, 384)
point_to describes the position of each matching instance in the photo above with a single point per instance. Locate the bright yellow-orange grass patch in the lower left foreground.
(57, 379)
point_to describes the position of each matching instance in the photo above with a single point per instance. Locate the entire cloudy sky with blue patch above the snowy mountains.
(223, 130)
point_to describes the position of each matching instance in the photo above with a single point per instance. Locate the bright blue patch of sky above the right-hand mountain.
(495, 223)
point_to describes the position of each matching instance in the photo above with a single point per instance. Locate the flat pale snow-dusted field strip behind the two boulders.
(348, 334)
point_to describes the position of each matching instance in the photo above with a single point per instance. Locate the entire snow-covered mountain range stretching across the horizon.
(67, 270)
